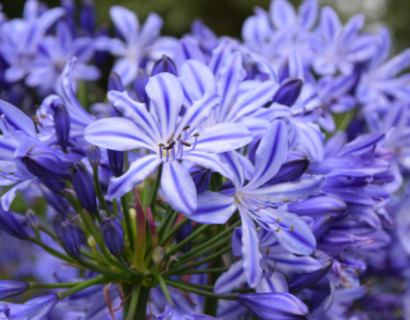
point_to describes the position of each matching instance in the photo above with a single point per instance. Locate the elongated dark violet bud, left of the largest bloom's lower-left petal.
(84, 187)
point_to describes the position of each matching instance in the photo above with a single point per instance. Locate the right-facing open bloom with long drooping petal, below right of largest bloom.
(258, 202)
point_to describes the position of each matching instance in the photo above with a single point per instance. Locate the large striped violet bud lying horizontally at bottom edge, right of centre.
(275, 306)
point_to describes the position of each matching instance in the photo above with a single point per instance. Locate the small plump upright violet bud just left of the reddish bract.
(113, 235)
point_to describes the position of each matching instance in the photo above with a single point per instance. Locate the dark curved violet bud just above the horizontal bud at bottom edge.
(299, 282)
